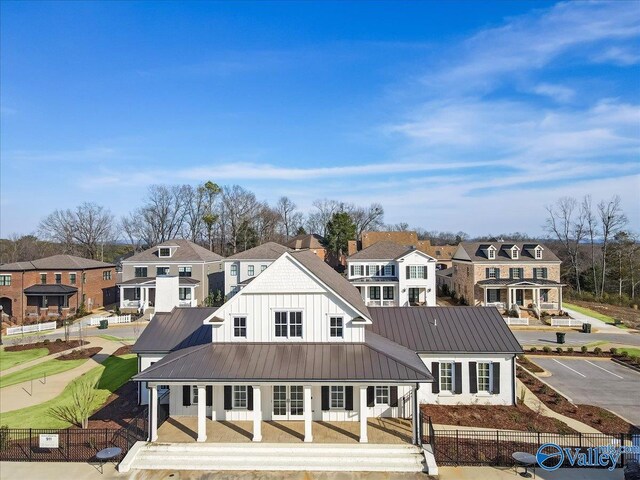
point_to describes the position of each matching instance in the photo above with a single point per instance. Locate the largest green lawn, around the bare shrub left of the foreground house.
(111, 375)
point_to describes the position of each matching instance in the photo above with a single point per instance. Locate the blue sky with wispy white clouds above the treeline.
(454, 115)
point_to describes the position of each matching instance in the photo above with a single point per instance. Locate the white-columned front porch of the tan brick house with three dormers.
(528, 295)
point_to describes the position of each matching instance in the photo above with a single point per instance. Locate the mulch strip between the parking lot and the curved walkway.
(596, 417)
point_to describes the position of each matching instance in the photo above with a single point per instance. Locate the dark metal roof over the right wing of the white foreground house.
(445, 329)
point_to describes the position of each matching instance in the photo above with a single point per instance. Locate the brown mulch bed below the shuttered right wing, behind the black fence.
(512, 417)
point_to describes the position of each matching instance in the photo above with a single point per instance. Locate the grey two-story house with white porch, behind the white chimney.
(174, 273)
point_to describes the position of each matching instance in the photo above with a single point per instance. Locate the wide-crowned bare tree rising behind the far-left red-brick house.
(88, 226)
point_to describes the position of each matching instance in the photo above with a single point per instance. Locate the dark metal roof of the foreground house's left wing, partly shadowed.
(174, 330)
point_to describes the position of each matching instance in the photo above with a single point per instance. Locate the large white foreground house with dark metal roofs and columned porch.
(298, 343)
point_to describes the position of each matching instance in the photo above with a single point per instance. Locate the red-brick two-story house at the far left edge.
(55, 287)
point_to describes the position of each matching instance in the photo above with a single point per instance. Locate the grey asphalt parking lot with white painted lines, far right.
(596, 382)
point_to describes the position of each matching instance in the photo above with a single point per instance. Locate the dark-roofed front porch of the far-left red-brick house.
(50, 301)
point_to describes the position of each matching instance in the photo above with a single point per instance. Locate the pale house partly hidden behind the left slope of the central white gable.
(243, 267)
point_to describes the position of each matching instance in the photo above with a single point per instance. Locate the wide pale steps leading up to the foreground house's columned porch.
(276, 457)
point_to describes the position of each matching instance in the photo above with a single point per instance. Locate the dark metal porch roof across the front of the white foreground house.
(353, 362)
